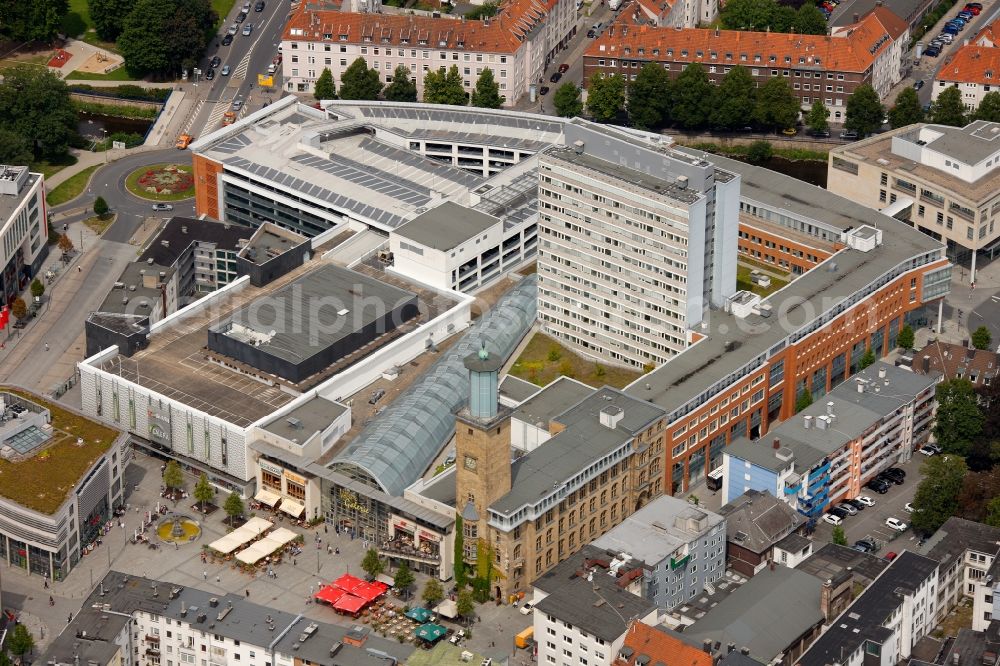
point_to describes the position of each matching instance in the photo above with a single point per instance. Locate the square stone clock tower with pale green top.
(482, 448)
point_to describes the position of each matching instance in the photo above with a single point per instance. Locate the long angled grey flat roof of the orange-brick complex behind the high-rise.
(732, 343)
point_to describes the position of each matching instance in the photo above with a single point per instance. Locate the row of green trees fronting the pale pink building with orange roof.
(440, 87)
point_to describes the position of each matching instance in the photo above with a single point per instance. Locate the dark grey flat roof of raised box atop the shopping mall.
(305, 314)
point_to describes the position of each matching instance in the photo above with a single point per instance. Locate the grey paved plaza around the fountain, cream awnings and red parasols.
(290, 591)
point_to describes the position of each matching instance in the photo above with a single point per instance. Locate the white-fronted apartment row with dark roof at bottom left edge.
(128, 620)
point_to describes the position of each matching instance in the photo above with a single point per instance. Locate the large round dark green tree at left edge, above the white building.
(35, 105)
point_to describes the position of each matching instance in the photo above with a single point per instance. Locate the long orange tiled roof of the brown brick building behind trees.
(853, 49)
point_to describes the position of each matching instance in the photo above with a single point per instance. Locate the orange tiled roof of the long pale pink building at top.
(501, 34)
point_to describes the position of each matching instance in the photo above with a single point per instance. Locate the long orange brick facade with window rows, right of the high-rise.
(802, 359)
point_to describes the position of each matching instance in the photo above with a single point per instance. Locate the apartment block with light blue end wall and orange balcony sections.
(829, 450)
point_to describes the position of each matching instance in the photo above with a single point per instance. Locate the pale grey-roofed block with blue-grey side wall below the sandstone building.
(682, 548)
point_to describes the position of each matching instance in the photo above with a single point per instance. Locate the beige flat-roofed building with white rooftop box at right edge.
(945, 181)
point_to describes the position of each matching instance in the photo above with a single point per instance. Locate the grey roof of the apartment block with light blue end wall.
(854, 413)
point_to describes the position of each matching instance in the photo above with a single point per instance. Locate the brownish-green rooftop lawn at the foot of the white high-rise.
(545, 359)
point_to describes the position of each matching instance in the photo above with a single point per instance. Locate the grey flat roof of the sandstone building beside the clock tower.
(583, 441)
